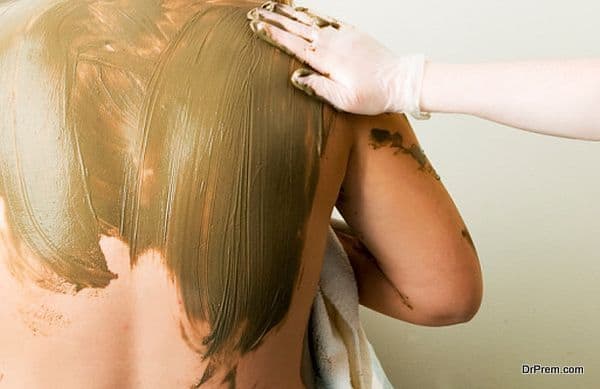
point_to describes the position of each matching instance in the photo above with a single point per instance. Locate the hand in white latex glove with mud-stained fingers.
(354, 72)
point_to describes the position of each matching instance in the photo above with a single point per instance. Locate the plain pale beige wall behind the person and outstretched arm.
(531, 202)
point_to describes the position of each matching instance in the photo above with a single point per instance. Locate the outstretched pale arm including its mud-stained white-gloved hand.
(357, 74)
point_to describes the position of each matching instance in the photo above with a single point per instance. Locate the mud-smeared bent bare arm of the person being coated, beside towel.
(414, 259)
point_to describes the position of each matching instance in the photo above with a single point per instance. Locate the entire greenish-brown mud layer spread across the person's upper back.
(170, 125)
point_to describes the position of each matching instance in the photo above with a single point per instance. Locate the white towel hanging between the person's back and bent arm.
(343, 356)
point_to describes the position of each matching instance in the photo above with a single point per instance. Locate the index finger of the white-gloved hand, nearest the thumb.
(288, 42)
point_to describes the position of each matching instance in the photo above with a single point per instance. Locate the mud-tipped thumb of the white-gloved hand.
(319, 86)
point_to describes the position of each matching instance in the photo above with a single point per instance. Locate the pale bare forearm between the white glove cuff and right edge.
(559, 98)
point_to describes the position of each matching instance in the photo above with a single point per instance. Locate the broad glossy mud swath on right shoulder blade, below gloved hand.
(249, 146)
